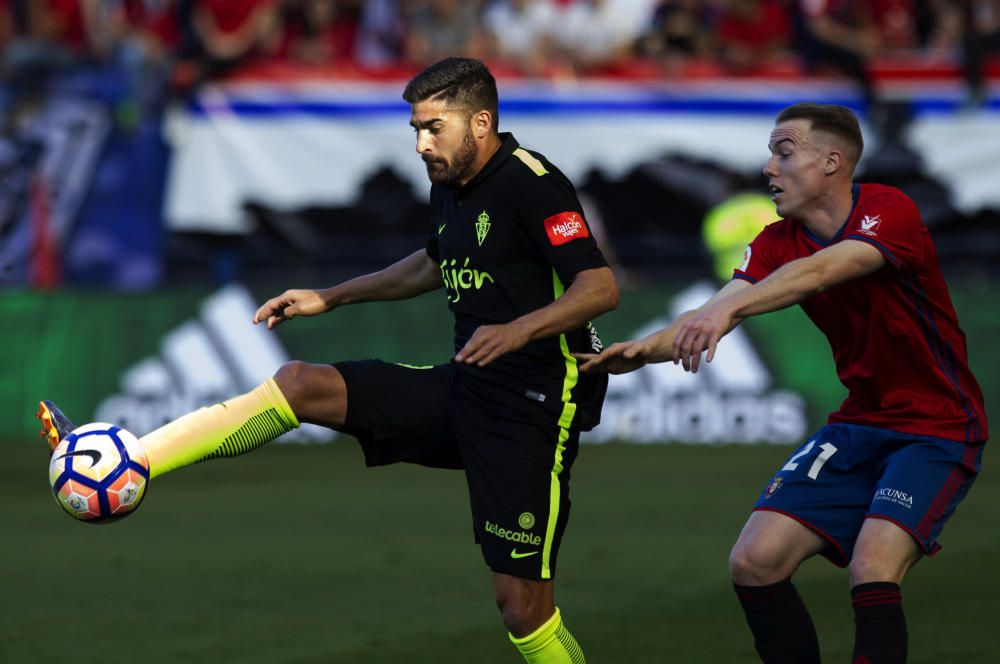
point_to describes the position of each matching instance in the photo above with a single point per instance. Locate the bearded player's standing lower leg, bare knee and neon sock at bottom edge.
(535, 624)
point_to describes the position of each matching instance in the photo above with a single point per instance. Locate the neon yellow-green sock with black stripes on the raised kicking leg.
(227, 429)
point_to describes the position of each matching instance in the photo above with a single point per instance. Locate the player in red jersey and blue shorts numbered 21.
(873, 488)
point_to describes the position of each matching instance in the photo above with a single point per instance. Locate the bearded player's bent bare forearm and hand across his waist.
(592, 293)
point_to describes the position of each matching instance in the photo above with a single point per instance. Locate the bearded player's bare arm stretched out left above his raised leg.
(414, 275)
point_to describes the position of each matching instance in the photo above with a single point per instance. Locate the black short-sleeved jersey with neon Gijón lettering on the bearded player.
(508, 243)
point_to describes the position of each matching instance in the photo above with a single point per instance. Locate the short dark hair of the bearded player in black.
(462, 82)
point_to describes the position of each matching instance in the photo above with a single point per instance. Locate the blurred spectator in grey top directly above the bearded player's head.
(442, 28)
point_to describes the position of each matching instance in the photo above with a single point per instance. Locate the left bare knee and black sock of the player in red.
(769, 550)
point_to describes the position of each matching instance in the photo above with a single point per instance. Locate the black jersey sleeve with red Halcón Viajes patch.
(553, 217)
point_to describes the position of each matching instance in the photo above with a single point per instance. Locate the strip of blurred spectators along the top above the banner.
(188, 41)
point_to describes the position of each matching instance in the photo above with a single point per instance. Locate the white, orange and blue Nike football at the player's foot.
(99, 473)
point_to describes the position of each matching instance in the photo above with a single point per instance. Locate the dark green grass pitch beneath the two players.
(298, 554)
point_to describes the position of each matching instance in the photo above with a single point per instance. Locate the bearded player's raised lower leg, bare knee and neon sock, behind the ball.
(299, 392)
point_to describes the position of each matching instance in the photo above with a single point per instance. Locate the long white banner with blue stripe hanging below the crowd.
(289, 146)
